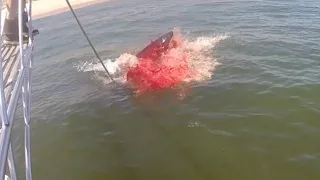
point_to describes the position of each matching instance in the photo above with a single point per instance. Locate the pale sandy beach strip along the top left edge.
(45, 8)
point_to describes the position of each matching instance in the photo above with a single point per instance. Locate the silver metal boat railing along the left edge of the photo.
(9, 100)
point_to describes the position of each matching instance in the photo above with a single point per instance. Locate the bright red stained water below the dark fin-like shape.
(166, 70)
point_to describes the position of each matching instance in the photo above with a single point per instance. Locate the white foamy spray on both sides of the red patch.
(200, 59)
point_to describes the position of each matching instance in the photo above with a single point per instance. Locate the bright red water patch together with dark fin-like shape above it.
(156, 68)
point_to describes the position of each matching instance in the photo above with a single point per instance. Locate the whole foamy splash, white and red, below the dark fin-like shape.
(191, 61)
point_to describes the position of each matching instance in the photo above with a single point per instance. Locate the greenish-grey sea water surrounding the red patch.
(255, 115)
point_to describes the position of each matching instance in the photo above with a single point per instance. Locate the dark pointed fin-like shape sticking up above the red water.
(156, 48)
